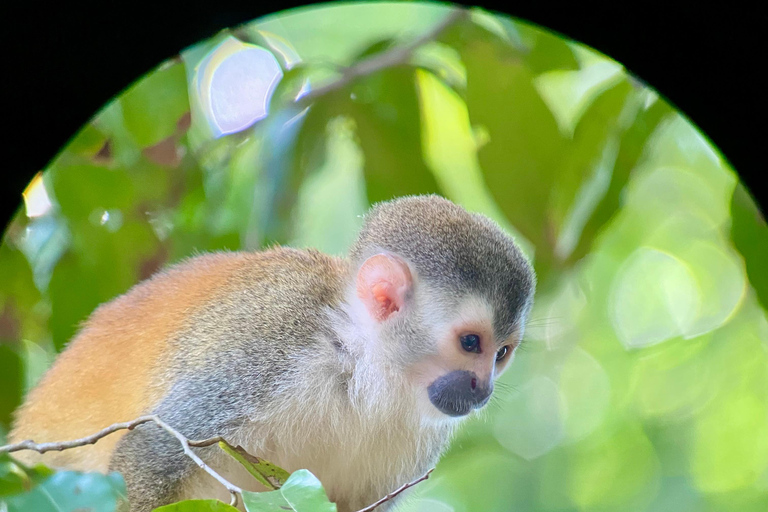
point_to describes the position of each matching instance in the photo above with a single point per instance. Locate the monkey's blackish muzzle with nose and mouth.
(458, 392)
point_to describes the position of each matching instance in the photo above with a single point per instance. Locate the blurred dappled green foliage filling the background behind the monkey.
(643, 381)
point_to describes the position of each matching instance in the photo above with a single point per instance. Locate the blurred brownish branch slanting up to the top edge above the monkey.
(387, 59)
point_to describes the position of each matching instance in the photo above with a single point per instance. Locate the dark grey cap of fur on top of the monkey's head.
(454, 250)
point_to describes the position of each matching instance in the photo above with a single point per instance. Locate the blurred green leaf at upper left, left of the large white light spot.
(154, 105)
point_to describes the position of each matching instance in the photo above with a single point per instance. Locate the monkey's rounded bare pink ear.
(382, 284)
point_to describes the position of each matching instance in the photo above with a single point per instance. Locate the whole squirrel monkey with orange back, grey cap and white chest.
(356, 369)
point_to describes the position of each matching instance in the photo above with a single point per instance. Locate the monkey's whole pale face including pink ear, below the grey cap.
(445, 343)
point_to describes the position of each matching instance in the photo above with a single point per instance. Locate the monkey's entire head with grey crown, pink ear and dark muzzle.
(445, 293)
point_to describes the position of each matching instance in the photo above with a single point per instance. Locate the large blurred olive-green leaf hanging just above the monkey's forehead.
(525, 147)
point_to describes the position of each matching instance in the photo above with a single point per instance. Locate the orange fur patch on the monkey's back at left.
(107, 374)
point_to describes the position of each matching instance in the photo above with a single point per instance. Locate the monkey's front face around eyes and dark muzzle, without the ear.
(466, 359)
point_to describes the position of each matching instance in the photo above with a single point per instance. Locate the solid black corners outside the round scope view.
(63, 61)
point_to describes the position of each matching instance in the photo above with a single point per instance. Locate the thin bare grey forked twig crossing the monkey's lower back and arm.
(186, 445)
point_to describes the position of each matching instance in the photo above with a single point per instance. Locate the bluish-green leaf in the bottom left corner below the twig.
(69, 491)
